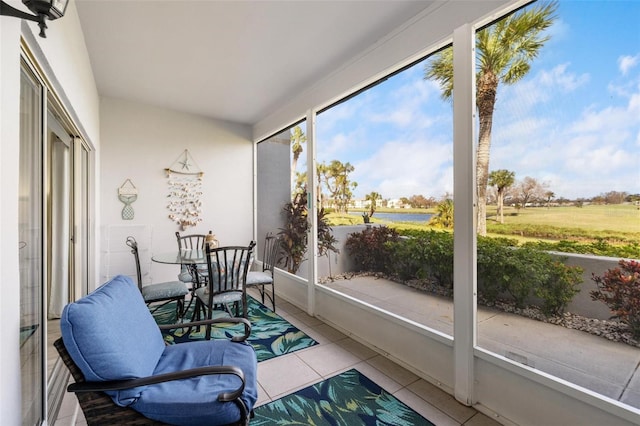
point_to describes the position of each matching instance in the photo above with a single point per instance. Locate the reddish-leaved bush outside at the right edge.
(619, 288)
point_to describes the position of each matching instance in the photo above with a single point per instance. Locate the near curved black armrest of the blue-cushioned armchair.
(113, 385)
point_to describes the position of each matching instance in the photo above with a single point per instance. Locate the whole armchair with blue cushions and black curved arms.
(115, 343)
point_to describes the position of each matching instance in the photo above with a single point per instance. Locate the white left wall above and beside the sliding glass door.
(64, 60)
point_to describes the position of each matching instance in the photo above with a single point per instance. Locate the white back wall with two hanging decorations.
(138, 143)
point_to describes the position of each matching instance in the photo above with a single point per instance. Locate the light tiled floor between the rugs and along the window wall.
(334, 354)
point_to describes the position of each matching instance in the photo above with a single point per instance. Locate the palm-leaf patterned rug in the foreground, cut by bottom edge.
(348, 399)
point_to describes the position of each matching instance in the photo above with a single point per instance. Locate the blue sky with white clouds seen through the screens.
(573, 122)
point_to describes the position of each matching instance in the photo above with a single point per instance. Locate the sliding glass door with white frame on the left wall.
(54, 232)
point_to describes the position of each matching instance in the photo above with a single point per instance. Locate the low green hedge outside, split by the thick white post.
(503, 267)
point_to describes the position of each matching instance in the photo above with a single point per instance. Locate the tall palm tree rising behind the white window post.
(504, 52)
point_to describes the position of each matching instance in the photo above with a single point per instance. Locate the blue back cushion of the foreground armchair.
(110, 334)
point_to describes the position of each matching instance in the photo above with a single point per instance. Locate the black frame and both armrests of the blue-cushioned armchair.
(99, 408)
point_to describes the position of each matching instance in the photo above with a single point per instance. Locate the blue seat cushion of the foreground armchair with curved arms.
(195, 401)
